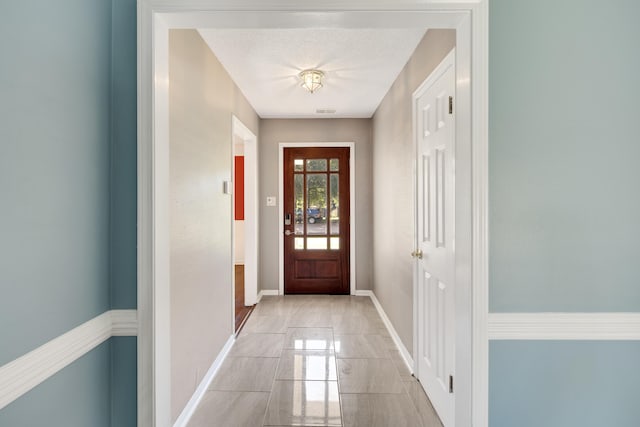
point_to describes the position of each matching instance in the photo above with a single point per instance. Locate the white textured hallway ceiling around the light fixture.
(360, 65)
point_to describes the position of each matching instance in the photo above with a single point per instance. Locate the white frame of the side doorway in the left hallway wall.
(251, 207)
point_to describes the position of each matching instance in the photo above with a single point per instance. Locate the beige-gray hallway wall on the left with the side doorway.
(202, 100)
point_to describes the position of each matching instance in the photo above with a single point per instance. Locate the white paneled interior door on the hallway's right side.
(433, 113)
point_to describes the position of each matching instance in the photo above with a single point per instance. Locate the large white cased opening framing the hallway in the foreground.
(156, 17)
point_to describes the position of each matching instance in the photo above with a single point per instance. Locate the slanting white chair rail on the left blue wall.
(26, 372)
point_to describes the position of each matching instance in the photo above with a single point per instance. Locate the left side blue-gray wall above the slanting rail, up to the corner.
(54, 169)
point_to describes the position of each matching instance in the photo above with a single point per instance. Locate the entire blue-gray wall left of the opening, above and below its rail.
(67, 212)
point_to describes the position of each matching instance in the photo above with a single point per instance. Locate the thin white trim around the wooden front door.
(352, 207)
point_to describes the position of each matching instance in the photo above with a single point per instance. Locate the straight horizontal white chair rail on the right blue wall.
(564, 326)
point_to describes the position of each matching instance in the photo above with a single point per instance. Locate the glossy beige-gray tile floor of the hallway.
(314, 361)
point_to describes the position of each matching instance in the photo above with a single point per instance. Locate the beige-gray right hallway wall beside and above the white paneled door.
(393, 158)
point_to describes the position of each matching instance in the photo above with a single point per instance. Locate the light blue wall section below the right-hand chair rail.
(564, 384)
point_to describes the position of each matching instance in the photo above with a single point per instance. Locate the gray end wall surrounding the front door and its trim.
(275, 131)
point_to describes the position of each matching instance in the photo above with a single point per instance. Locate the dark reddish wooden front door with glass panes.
(316, 220)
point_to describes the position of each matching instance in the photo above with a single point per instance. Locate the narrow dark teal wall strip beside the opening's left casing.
(123, 206)
